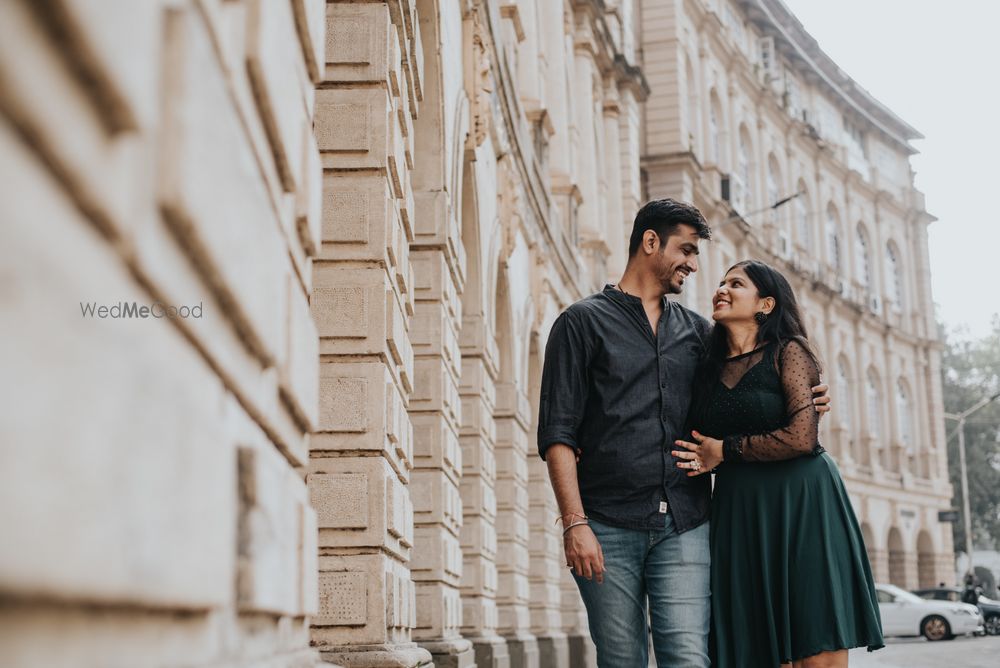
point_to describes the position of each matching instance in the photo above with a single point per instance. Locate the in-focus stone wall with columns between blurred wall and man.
(480, 166)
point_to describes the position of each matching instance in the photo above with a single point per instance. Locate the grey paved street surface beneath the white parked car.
(963, 652)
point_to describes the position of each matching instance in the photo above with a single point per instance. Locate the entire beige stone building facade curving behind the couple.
(351, 225)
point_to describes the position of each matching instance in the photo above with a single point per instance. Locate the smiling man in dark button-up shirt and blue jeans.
(616, 387)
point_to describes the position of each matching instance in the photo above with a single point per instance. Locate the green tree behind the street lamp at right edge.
(971, 371)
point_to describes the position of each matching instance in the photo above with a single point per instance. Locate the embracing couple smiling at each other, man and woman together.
(641, 400)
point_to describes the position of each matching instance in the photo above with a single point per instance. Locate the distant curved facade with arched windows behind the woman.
(785, 129)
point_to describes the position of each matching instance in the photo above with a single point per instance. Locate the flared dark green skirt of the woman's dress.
(790, 574)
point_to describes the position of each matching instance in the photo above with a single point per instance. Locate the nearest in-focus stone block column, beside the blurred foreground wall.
(362, 455)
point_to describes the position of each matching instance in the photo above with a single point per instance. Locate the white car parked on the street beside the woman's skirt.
(905, 614)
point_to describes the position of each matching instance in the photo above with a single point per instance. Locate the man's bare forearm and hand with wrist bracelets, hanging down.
(583, 551)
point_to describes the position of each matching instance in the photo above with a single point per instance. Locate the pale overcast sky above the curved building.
(935, 65)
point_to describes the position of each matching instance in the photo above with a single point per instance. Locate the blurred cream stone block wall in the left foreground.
(155, 510)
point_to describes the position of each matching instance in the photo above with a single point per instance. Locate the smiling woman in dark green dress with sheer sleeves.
(791, 582)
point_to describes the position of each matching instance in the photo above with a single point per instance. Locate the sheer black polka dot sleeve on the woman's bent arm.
(799, 374)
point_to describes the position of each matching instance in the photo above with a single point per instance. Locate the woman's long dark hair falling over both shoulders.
(783, 324)
